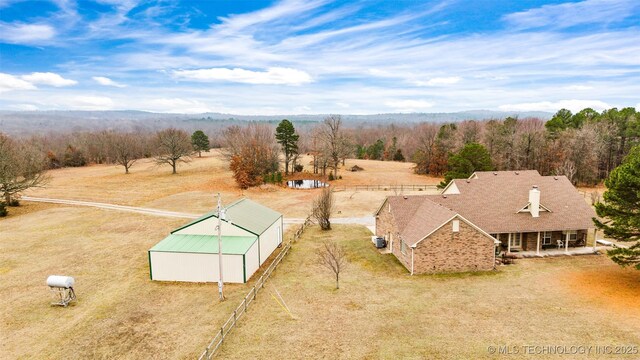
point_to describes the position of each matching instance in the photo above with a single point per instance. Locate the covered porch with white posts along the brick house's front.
(546, 242)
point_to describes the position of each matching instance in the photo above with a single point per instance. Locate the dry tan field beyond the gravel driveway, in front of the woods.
(192, 189)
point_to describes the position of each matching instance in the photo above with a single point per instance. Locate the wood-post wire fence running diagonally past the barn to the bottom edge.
(241, 310)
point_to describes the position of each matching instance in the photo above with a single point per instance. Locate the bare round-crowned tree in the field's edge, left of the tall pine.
(173, 146)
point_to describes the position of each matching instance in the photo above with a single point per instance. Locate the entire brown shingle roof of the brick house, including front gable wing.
(491, 201)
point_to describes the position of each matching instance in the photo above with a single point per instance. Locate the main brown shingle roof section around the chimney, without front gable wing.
(491, 200)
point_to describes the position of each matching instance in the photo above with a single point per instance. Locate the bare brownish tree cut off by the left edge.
(21, 167)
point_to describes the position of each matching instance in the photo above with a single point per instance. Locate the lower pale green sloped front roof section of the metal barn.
(205, 244)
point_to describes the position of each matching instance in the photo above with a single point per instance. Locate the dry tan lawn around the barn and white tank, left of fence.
(120, 312)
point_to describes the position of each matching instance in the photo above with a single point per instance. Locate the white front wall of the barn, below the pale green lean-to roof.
(195, 267)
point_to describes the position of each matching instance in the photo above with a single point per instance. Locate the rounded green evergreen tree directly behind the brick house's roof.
(472, 157)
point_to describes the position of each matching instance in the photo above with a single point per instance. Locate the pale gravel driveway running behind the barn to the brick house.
(368, 221)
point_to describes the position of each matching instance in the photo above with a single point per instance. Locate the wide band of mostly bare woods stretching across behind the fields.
(585, 147)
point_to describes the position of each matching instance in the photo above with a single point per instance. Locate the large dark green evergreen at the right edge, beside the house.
(621, 209)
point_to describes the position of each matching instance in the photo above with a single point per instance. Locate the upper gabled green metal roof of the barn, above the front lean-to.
(246, 214)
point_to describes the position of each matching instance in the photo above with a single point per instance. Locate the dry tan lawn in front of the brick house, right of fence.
(382, 312)
